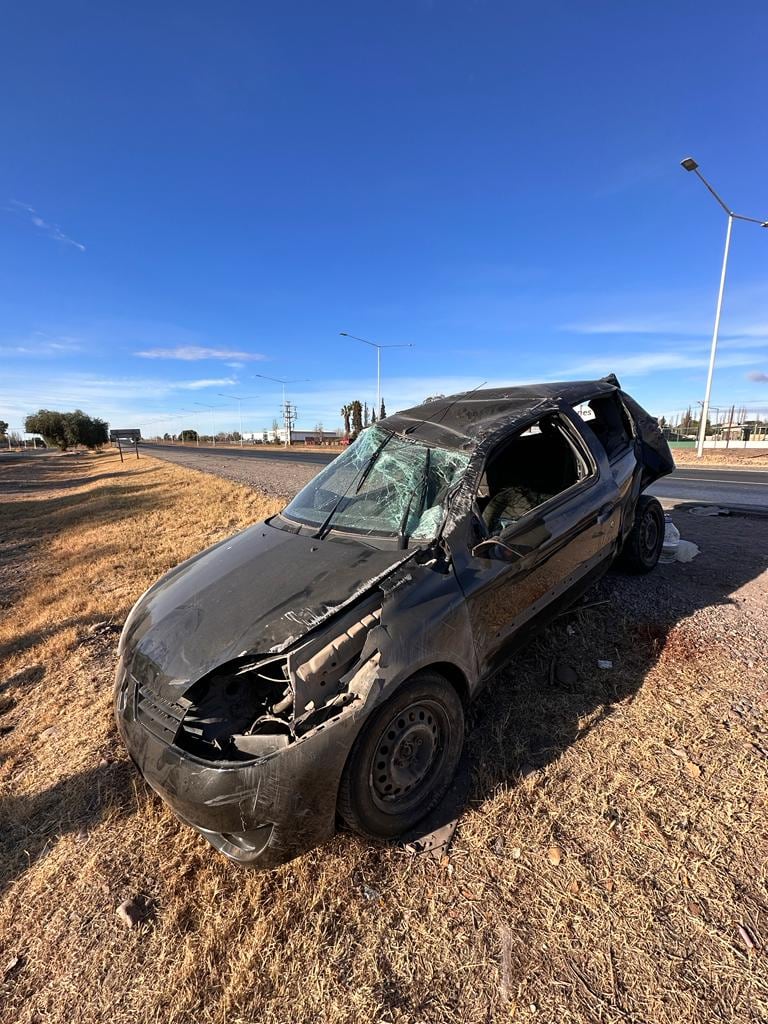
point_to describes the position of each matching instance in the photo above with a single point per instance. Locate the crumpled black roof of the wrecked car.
(465, 419)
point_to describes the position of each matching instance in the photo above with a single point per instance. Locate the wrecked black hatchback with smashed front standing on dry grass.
(315, 669)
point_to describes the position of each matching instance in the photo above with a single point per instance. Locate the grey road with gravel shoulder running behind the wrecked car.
(285, 472)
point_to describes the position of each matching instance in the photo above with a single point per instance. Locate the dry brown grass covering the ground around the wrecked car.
(611, 866)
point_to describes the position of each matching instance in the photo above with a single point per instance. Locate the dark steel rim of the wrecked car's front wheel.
(409, 757)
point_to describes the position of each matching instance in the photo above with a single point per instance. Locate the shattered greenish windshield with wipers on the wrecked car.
(383, 484)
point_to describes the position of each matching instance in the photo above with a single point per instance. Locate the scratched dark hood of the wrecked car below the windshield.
(259, 592)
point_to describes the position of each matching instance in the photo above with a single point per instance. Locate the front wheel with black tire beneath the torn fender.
(405, 758)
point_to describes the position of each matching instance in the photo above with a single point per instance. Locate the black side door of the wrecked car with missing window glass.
(510, 580)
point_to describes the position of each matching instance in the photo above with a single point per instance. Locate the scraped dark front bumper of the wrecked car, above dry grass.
(262, 813)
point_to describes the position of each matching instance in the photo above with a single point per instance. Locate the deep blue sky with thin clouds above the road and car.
(195, 194)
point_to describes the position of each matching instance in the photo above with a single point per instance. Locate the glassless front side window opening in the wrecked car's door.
(526, 472)
